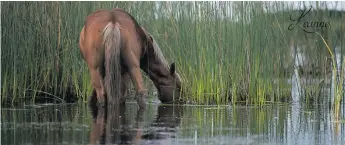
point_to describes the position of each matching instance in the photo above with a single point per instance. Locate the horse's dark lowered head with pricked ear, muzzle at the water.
(169, 88)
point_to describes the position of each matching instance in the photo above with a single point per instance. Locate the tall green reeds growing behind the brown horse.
(225, 51)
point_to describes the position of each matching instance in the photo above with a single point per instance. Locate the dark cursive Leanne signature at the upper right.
(307, 25)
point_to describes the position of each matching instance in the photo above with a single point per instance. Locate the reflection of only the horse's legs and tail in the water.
(111, 127)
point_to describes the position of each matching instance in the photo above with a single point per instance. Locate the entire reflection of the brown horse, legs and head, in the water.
(115, 128)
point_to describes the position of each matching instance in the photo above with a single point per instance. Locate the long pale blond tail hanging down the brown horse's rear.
(112, 47)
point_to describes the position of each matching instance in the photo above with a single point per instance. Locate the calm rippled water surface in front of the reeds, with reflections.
(76, 124)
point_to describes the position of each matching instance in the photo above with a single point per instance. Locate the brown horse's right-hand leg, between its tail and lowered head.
(133, 65)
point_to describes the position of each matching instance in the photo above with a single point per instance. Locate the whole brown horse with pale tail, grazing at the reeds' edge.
(115, 49)
